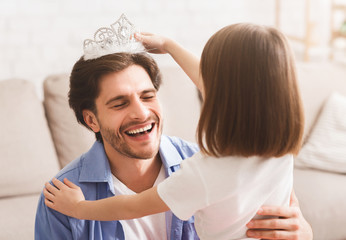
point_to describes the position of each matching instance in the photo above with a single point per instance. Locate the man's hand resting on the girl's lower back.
(290, 224)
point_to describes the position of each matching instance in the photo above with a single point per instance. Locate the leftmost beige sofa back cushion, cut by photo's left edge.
(28, 157)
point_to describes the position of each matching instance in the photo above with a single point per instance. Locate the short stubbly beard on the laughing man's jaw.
(118, 143)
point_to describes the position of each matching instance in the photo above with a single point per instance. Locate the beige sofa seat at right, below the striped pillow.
(322, 200)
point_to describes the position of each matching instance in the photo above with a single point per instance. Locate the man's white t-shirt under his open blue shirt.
(150, 227)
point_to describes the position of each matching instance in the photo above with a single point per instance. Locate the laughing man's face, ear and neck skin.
(128, 118)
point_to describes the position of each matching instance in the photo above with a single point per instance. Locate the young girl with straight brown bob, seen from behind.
(250, 125)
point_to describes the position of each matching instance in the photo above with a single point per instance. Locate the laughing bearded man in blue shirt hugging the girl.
(115, 96)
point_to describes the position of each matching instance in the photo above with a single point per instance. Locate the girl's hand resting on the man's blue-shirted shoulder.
(62, 197)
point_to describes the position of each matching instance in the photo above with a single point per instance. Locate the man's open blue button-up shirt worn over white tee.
(92, 173)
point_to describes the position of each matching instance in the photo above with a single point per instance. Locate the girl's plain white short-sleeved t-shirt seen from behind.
(225, 193)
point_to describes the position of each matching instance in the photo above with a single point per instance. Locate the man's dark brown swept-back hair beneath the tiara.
(86, 75)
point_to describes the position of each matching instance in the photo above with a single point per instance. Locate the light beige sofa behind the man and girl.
(38, 139)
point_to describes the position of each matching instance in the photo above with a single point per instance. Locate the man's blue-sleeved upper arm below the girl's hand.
(50, 224)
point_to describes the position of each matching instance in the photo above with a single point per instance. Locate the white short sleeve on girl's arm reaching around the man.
(184, 191)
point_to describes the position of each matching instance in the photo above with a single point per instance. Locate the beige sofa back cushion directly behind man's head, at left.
(70, 138)
